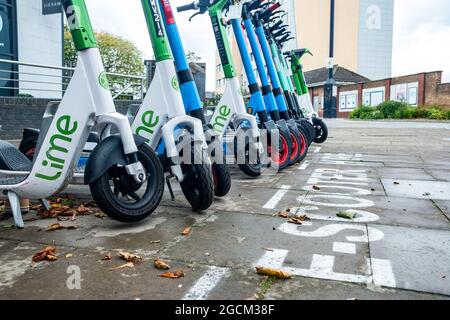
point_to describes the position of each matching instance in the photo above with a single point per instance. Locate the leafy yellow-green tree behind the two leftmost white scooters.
(118, 55)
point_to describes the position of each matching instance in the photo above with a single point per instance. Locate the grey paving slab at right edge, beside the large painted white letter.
(420, 258)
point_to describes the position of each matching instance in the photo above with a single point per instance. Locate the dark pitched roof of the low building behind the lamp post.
(318, 77)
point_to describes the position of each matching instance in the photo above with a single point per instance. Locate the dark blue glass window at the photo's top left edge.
(8, 46)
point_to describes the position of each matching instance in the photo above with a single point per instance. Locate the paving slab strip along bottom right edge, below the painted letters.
(315, 289)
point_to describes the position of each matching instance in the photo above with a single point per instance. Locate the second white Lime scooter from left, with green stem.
(162, 121)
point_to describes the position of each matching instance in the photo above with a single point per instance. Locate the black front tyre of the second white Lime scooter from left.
(198, 185)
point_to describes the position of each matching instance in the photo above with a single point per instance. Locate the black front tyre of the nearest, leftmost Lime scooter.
(124, 211)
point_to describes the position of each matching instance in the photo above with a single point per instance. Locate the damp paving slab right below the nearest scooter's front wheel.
(164, 226)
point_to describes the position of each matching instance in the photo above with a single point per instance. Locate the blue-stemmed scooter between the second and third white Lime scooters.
(191, 100)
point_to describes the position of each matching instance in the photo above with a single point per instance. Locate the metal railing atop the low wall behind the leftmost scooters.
(47, 81)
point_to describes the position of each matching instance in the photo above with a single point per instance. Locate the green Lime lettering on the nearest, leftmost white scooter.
(55, 155)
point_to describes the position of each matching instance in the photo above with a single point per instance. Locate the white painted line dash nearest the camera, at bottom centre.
(203, 287)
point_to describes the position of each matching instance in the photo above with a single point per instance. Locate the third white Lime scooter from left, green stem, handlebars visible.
(231, 111)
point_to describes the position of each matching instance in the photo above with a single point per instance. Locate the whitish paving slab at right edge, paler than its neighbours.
(417, 189)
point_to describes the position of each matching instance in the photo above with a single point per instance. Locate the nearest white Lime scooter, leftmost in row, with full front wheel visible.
(123, 158)
